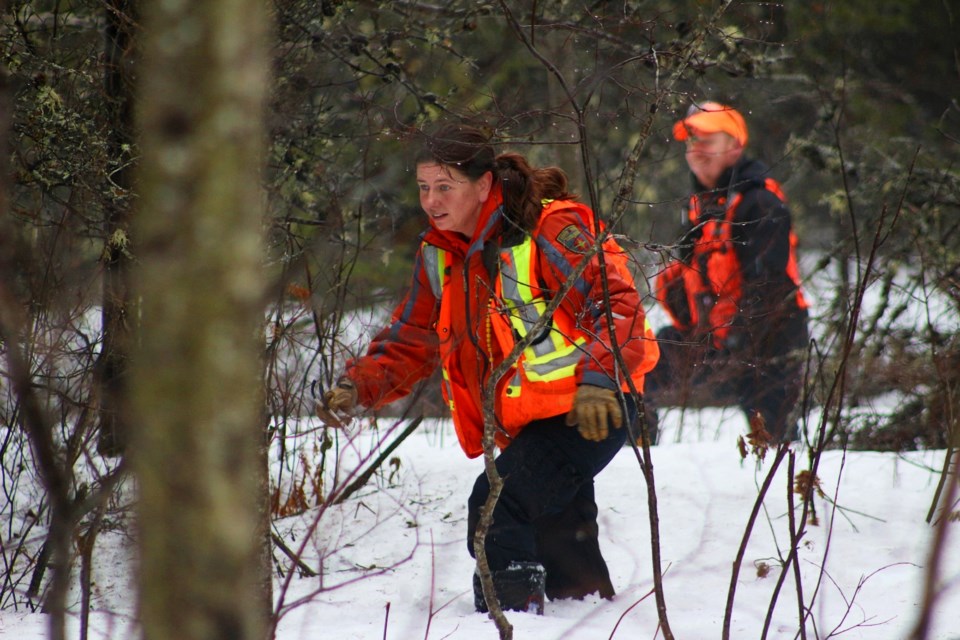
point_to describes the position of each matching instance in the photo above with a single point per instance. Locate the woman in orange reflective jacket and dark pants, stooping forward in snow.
(506, 239)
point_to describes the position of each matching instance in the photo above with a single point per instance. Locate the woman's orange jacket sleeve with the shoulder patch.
(564, 238)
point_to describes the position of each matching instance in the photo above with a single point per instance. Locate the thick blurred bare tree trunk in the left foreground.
(196, 386)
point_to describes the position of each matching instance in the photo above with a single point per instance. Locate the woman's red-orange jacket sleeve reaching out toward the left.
(404, 352)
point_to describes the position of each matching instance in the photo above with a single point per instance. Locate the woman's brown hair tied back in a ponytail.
(524, 187)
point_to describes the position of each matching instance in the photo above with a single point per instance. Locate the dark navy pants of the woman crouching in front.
(546, 512)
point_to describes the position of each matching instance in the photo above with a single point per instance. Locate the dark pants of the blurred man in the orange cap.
(764, 376)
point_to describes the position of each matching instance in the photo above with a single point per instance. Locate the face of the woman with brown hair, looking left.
(450, 198)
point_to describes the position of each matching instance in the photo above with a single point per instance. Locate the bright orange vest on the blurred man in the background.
(712, 280)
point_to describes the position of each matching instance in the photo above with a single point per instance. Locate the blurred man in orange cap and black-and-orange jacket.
(733, 292)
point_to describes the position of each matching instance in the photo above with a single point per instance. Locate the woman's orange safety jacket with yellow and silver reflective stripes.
(478, 317)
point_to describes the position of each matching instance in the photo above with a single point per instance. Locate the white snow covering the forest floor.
(395, 563)
